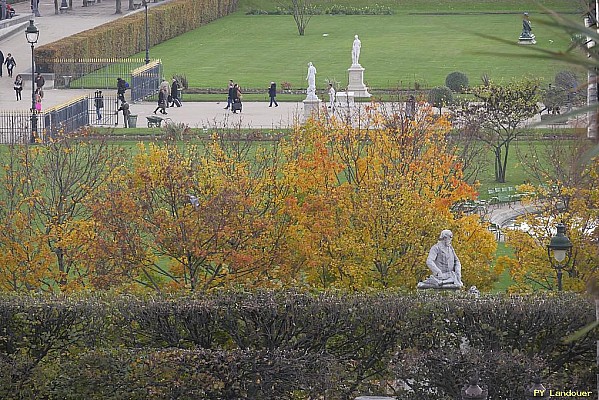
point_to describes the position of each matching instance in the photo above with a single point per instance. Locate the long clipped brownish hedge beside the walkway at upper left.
(126, 36)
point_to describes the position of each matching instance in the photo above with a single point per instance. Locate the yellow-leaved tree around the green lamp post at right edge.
(564, 188)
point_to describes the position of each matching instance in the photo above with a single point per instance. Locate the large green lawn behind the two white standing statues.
(398, 50)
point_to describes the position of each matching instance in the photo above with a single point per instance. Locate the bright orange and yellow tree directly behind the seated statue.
(372, 197)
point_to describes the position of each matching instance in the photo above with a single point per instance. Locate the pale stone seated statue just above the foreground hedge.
(444, 265)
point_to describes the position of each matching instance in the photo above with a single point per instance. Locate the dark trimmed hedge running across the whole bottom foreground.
(289, 345)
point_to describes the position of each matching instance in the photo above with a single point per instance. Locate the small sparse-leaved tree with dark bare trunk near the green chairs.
(497, 115)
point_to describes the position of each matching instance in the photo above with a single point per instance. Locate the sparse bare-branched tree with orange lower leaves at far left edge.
(47, 187)
